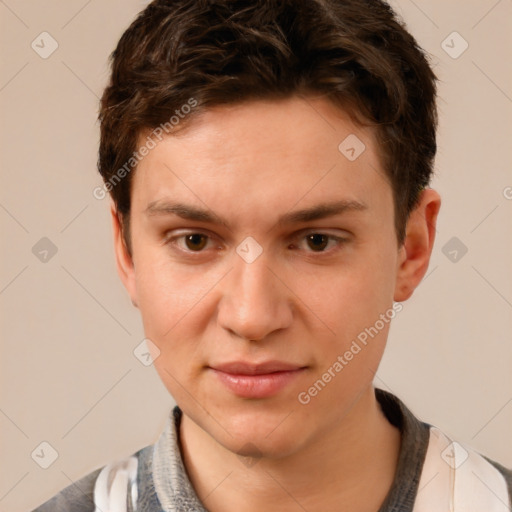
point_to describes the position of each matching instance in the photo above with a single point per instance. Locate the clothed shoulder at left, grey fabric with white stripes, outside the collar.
(94, 491)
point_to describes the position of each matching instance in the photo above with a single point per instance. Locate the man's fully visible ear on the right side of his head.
(414, 254)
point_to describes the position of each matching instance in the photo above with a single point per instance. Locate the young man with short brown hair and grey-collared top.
(269, 165)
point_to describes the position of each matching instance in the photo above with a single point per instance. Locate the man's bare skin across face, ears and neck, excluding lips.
(249, 165)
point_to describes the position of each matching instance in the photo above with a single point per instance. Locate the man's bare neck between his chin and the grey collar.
(352, 465)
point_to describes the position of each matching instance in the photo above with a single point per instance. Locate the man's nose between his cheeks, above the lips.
(254, 302)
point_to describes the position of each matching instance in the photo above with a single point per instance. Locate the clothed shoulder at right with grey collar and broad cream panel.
(436, 472)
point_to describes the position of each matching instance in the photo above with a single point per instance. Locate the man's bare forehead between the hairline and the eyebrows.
(272, 153)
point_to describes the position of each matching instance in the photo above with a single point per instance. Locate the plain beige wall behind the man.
(68, 373)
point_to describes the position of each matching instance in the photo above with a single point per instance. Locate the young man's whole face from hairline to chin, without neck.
(261, 257)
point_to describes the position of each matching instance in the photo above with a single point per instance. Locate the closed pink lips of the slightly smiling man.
(262, 380)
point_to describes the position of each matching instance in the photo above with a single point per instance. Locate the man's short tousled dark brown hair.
(356, 53)
